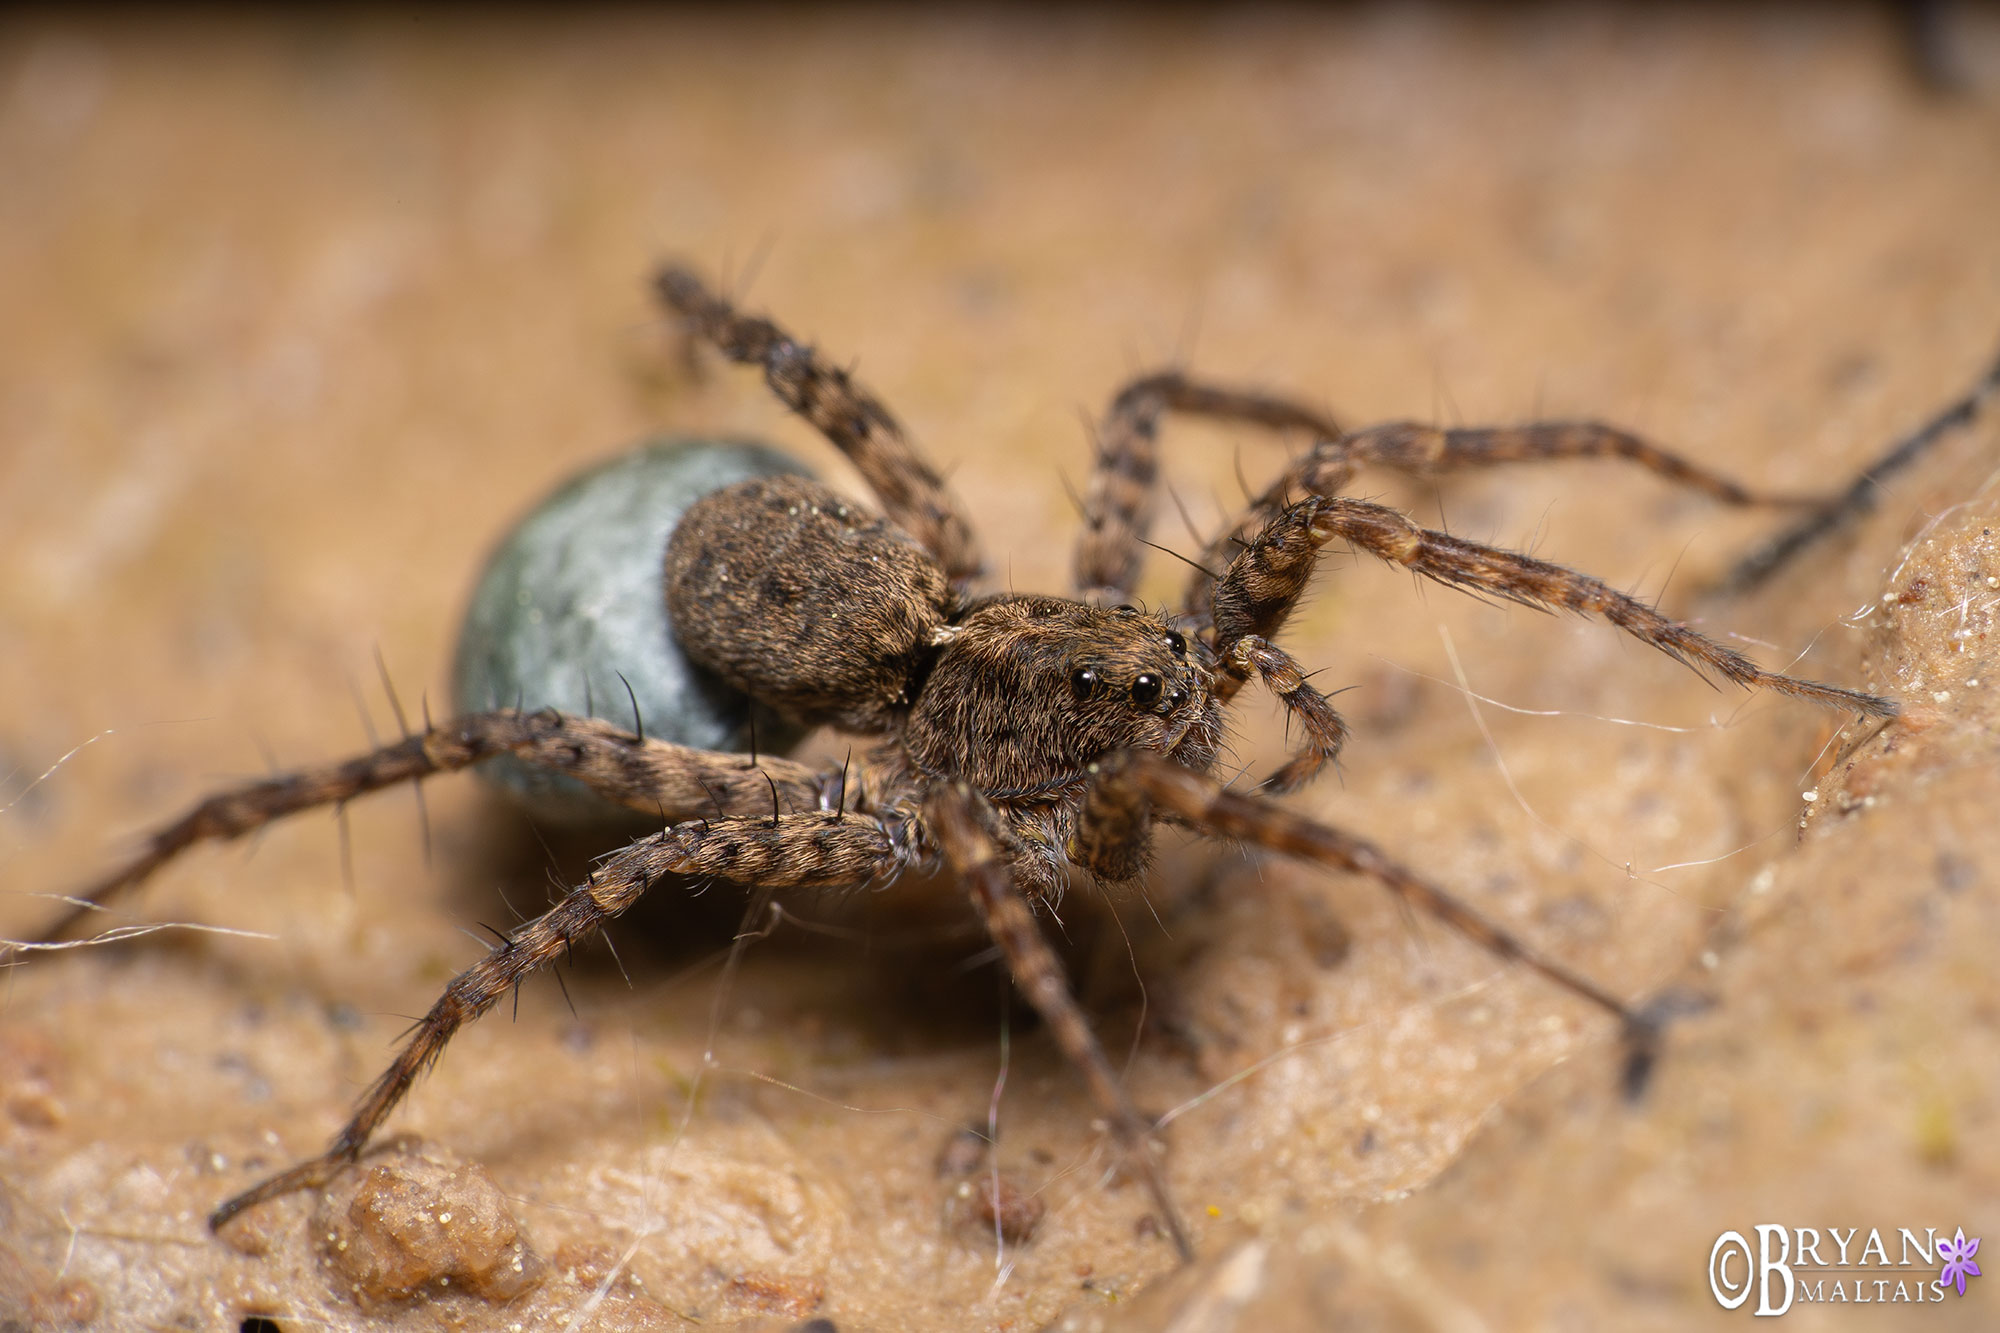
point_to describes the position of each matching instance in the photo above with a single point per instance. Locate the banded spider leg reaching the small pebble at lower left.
(787, 852)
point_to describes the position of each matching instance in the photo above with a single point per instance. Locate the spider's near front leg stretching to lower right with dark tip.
(1129, 786)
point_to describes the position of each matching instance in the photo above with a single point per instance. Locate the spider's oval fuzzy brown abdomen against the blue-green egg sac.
(805, 601)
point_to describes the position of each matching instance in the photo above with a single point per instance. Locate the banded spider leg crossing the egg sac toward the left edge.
(653, 778)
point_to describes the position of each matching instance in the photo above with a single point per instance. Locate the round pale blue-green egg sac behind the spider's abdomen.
(571, 613)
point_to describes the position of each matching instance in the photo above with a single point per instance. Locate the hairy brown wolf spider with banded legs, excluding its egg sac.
(1019, 736)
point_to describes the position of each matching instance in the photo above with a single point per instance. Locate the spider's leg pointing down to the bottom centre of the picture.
(967, 832)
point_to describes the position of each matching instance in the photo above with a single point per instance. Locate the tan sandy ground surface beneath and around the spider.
(297, 317)
